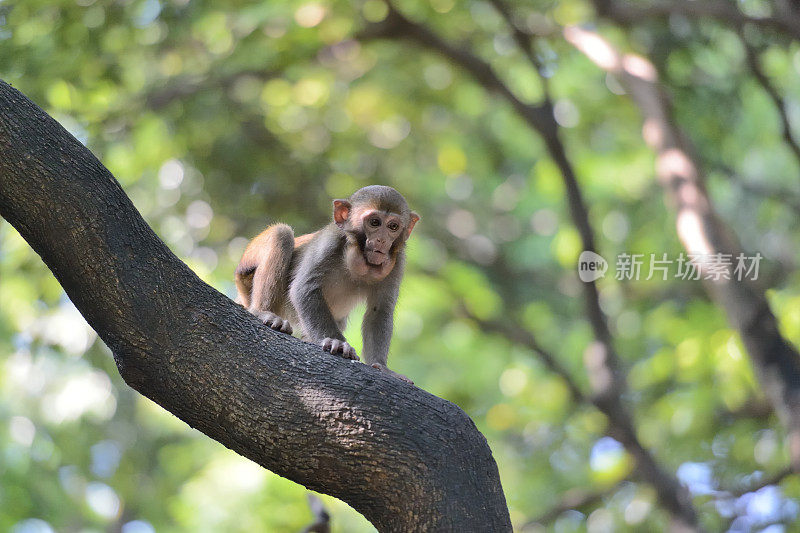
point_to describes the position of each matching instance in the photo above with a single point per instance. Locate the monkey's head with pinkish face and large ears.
(379, 219)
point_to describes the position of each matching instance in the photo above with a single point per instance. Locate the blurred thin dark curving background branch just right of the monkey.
(606, 377)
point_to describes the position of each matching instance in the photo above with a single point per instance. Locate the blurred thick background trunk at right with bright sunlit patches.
(776, 361)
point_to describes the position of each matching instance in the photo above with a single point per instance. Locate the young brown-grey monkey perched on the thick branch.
(315, 280)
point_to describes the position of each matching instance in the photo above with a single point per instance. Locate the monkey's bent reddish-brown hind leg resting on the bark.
(271, 277)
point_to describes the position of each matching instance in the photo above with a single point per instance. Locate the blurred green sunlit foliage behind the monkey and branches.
(221, 117)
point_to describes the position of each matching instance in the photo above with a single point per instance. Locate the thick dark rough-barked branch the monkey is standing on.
(404, 458)
